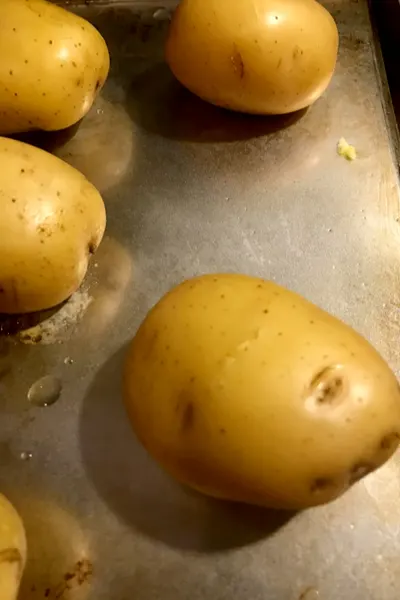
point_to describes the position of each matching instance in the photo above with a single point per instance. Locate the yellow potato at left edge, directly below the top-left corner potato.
(52, 220)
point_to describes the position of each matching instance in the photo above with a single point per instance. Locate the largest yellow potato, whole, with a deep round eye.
(248, 392)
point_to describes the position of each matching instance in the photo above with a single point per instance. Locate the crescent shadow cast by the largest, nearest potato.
(146, 498)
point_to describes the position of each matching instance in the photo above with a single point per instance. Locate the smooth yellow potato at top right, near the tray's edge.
(263, 56)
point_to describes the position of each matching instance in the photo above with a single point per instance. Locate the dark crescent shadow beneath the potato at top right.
(158, 103)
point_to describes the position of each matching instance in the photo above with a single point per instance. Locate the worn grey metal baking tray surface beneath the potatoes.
(190, 189)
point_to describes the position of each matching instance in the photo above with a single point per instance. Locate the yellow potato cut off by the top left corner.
(53, 65)
